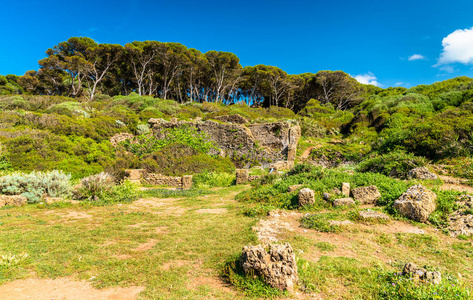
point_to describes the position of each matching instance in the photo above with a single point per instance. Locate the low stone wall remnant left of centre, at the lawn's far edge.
(143, 177)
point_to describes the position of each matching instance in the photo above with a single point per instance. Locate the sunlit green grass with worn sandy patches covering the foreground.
(176, 252)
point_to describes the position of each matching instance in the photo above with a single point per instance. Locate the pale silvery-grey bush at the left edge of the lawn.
(35, 184)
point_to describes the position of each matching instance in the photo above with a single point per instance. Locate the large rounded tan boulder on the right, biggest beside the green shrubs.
(417, 203)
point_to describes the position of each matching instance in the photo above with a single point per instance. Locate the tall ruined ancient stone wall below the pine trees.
(267, 143)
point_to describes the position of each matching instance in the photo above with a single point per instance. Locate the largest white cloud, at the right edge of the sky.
(457, 47)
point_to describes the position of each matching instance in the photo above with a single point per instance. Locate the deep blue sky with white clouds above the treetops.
(387, 43)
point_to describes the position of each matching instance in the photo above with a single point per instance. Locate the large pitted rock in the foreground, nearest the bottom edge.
(277, 267)
